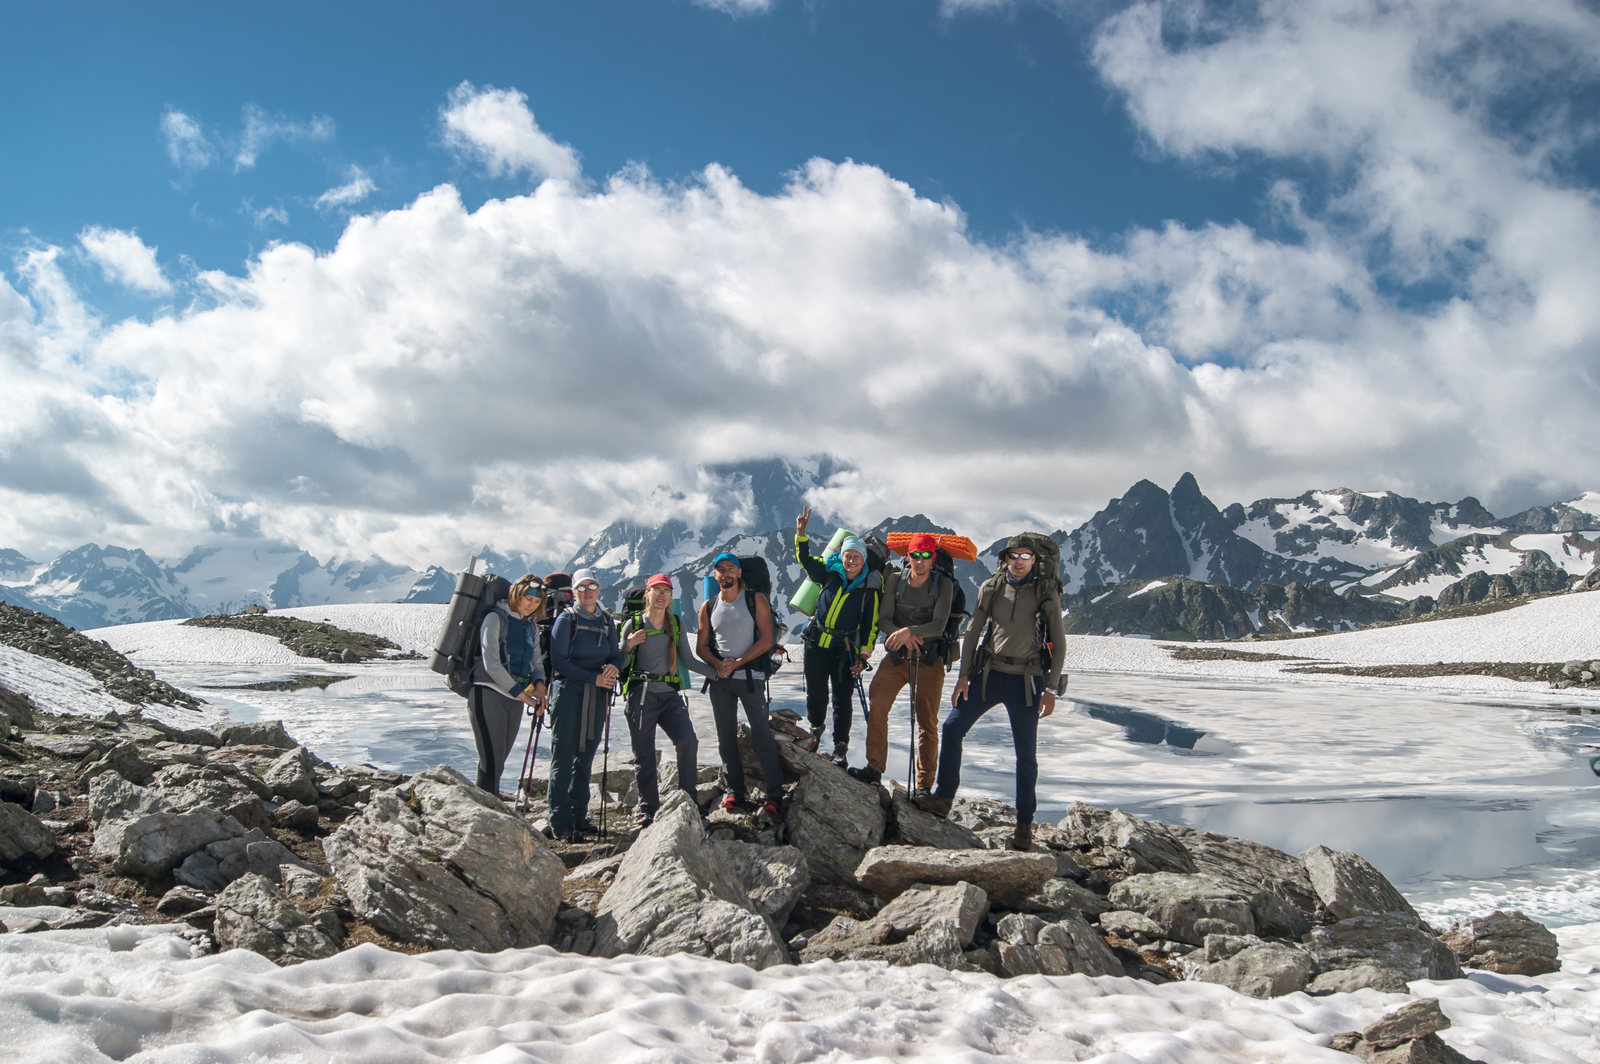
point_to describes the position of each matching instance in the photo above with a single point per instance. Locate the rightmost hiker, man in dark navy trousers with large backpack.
(1004, 663)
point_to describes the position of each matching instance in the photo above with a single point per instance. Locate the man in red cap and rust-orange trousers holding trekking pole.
(916, 607)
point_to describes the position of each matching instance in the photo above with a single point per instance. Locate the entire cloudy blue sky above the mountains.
(271, 270)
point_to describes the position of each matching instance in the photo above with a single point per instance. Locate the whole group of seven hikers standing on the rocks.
(537, 641)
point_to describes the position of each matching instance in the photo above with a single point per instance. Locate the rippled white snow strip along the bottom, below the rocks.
(137, 994)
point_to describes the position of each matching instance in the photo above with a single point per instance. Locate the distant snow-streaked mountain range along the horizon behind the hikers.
(1343, 540)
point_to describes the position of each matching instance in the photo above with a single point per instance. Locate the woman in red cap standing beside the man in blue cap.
(657, 644)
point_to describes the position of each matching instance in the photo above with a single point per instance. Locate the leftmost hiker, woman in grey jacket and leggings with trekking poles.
(508, 676)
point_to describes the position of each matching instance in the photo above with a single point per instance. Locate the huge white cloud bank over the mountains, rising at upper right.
(529, 370)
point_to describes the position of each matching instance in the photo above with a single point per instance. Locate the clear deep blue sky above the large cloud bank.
(1001, 114)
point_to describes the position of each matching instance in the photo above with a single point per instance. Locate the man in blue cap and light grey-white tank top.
(732, 636)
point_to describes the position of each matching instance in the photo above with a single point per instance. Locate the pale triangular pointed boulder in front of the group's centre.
(676, 892)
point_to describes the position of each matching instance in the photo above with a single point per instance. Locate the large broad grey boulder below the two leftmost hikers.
(441, 863)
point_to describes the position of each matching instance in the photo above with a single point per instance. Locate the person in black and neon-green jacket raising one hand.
(842, 631)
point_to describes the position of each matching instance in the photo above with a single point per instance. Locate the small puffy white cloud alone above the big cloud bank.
(495, 127)
